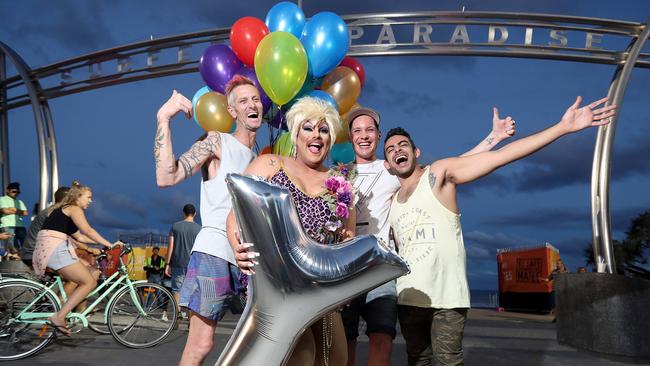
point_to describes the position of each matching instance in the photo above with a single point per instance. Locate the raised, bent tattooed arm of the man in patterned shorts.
(170, 171)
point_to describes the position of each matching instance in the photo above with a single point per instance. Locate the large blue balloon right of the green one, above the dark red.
(326, 41)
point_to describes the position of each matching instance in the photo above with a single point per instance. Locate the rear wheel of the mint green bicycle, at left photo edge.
(19, 339)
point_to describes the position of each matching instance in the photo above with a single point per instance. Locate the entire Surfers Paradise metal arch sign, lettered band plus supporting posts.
(541, 36)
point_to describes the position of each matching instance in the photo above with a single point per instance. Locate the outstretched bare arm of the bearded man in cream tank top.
(466, 169)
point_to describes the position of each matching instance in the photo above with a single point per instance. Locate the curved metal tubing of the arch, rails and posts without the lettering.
(624, 60)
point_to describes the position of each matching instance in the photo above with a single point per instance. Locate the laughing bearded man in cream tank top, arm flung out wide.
(433, 299)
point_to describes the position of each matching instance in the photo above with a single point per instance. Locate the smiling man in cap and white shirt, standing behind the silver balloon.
(376, 187)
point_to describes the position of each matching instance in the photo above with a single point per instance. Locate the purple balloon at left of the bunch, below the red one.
(217, 66)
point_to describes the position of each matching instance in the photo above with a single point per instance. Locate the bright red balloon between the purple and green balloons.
(245, 35)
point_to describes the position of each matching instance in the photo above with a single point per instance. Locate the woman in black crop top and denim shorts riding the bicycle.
(55, 250)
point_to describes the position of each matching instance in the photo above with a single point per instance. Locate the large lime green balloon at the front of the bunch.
(281, 66)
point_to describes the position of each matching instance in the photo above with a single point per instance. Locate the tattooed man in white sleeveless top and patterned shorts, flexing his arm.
(212, 279)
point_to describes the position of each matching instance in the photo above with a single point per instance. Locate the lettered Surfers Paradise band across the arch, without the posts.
(424, 33)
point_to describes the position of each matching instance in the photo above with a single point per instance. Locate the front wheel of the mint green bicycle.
(135, 329)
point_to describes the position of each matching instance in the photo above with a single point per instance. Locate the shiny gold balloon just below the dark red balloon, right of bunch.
(343, 84)
